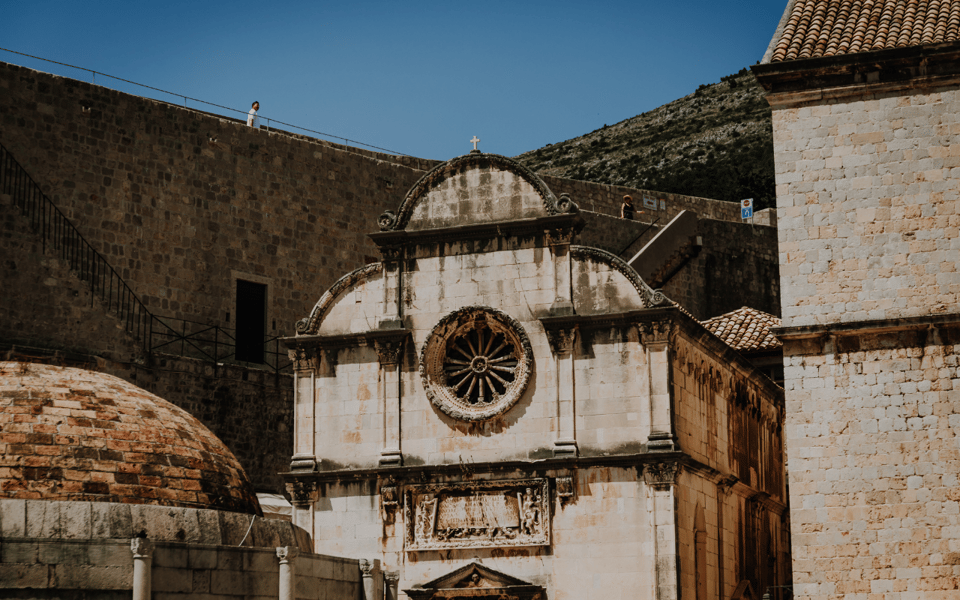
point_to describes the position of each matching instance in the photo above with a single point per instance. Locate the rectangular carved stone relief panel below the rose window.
(477, 514)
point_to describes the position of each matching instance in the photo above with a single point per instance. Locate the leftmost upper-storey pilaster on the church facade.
(306, 362)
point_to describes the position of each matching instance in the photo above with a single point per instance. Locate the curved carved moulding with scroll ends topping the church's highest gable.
(390, 221)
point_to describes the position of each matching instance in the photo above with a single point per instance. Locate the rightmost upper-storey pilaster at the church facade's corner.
(655, 337)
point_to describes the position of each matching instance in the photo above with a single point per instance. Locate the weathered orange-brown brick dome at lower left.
(72, 434)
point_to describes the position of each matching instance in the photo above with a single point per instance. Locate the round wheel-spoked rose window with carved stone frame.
(476, 363)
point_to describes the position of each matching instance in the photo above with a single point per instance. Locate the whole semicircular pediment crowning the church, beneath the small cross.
(474, 188)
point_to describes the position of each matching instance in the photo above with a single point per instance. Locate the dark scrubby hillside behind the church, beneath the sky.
(714, 143)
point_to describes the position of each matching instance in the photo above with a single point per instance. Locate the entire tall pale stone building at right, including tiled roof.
(865, 101)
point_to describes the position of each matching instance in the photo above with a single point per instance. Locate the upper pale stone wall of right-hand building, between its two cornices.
(868, 195)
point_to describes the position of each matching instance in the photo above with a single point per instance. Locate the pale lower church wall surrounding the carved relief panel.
(602, 540)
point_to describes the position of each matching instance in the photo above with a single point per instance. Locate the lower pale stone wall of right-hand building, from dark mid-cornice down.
(873, 428)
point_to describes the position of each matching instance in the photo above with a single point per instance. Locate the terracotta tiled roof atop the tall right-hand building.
(816, 28)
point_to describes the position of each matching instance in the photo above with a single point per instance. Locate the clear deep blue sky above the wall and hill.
(418, 78)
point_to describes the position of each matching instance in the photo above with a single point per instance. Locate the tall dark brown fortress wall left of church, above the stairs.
(184, 203)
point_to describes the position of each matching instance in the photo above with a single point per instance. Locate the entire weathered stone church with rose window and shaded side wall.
(493, 409)
